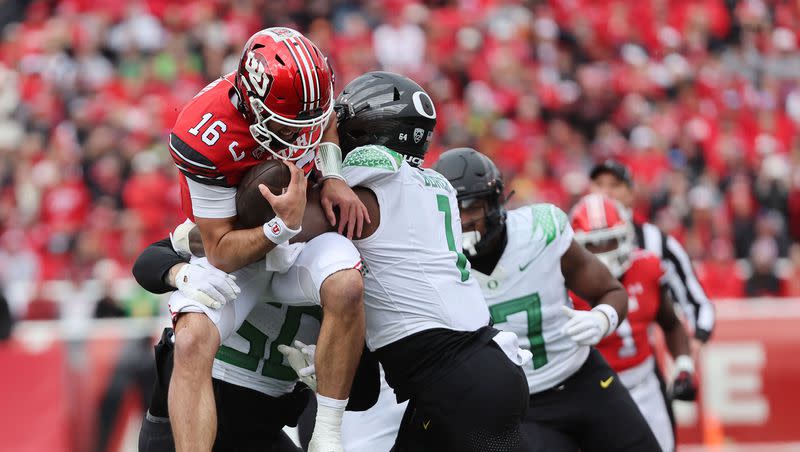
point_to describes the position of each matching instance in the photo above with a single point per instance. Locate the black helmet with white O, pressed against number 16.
(386, 109)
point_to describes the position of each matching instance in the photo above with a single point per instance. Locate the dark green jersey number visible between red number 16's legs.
(273, 366)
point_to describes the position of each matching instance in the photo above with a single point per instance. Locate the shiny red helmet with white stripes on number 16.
(284, 78)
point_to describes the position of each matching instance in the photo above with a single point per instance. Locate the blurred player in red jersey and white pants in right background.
(603, 226)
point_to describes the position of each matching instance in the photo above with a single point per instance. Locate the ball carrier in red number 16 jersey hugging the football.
(274, 106)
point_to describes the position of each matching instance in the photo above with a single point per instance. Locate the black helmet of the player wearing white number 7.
(475, 176)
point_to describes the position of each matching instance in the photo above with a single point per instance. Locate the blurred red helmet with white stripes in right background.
(603, 226)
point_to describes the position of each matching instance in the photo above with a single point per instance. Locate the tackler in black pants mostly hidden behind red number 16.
(255, 389)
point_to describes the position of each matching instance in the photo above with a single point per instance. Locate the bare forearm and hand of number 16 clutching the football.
(230, 249)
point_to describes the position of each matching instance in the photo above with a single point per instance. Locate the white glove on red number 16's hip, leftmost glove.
(209, 286)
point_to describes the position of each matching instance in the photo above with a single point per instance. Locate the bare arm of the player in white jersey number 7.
(590, 279)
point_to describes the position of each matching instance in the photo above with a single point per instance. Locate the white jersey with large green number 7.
(526, 290)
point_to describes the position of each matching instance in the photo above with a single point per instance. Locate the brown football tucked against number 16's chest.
(252, 208)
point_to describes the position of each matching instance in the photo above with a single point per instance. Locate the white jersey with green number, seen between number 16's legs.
(250, 357)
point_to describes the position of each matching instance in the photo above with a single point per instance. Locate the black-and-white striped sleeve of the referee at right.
(687, 290)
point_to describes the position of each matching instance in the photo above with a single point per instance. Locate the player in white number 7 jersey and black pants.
(525, 259)
